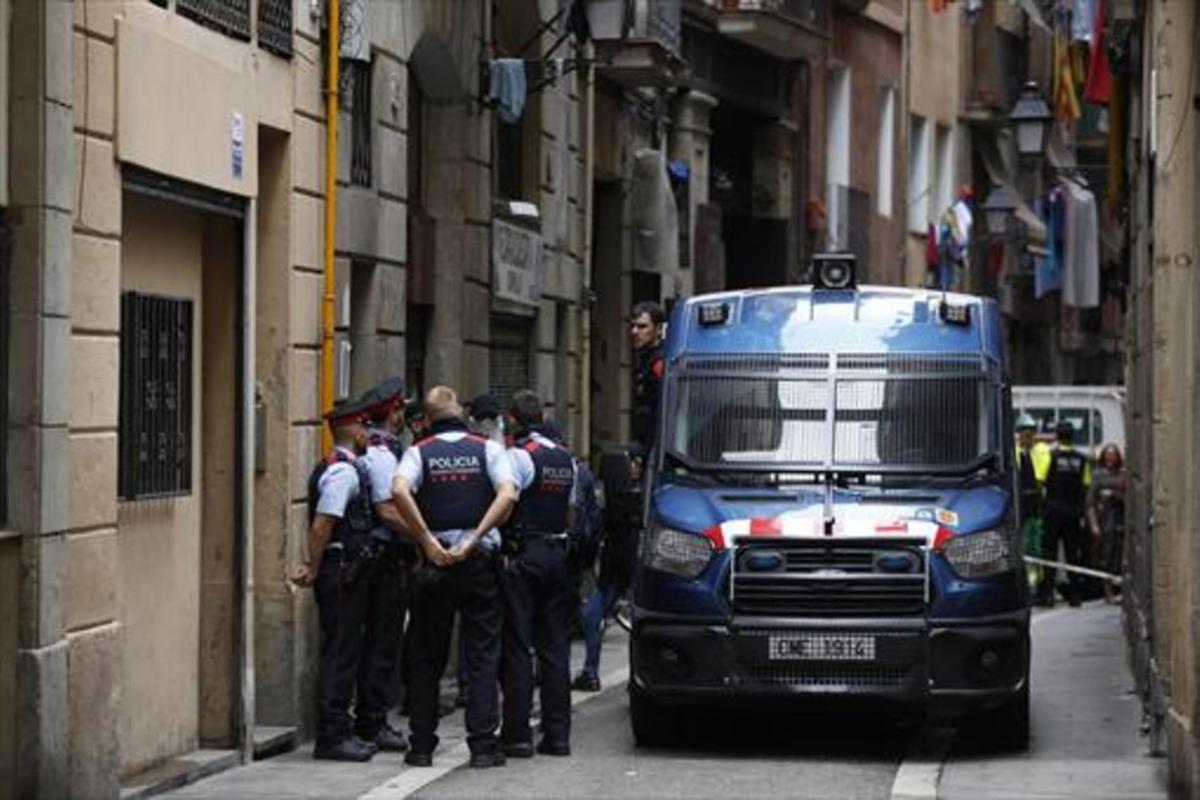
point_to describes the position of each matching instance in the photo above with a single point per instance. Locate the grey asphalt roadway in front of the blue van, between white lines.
(778, 755)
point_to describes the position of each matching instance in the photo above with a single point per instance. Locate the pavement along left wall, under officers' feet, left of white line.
(297, 775)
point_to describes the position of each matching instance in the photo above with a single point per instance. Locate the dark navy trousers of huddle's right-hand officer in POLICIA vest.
(537, 617)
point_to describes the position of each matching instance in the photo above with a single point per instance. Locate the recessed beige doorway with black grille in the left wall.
(178, 522)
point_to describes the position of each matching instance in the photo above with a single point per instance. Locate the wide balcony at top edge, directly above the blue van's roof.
(776, 27)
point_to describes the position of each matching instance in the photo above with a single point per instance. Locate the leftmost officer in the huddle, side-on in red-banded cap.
(341, 520)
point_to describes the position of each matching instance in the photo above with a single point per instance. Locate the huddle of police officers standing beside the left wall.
(454, 525)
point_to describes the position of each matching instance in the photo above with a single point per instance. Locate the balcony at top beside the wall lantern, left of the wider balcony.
(638, 44)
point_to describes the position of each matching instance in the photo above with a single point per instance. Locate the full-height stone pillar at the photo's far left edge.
(38, 468)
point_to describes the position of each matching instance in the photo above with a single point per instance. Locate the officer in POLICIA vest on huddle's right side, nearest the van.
(537, 586)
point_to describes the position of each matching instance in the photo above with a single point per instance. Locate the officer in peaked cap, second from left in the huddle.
(386, 578)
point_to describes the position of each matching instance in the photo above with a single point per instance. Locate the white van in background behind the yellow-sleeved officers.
(1096, 412)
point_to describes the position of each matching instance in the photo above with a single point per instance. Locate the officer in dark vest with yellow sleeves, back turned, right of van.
(1067, 479)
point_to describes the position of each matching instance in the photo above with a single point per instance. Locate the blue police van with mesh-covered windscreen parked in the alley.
(831, 510)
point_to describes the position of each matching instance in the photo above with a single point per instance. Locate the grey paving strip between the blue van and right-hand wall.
(1085, 724)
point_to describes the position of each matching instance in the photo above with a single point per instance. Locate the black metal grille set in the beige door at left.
(155, 398)
